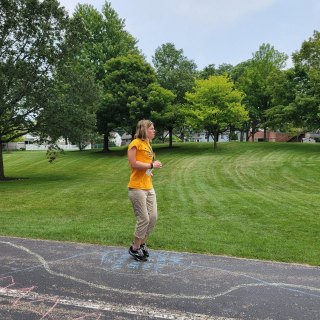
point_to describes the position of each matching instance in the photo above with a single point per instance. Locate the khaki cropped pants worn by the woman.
(144, 204)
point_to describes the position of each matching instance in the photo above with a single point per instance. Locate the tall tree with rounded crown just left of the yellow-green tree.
(177, 74)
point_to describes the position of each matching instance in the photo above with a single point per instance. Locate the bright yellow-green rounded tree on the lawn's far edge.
(215, 105)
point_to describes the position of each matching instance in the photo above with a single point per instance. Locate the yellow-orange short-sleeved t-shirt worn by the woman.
(138, 178)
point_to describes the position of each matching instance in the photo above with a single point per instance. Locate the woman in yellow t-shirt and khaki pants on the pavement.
(141, 192)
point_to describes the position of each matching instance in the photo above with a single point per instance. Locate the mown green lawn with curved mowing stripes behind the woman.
(254, 200)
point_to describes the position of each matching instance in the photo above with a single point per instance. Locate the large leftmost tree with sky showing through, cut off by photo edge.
(31, 46)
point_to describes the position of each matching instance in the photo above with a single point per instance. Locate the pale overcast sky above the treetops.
(215, 31)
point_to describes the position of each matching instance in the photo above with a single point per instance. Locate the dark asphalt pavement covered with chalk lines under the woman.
(67, 281)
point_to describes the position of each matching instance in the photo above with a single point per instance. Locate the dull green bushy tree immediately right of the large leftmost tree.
(72, 112)
